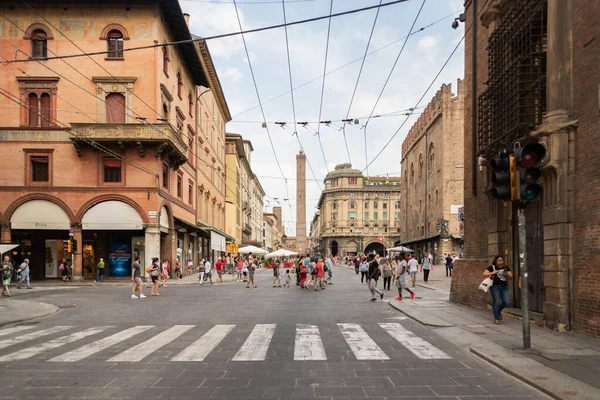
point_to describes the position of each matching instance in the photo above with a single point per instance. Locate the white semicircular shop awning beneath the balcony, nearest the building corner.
(112, 215)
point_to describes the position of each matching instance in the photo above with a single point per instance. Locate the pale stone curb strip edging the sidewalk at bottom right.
(545, 379)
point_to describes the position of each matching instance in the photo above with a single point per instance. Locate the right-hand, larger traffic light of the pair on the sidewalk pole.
(528, 172)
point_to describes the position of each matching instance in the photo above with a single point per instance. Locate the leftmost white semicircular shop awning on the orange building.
(40, 214)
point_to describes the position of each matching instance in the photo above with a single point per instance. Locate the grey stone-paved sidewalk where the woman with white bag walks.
(564, 365)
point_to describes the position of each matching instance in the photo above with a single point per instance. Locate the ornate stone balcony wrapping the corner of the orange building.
(160, 138)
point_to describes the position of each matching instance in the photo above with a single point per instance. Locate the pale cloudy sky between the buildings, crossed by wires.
(424, 54)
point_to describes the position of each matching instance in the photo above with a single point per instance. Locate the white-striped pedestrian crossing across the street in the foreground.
(308, 343)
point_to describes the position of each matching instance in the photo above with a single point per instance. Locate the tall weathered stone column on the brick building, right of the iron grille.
(557, 133)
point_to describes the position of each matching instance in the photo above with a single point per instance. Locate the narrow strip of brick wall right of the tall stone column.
(586, 254)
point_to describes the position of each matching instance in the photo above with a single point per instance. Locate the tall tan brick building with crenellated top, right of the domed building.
(433, 179)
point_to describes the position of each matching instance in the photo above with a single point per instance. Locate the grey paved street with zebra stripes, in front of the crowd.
(231, 342)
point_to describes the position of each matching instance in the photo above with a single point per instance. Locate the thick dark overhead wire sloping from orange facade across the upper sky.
(224, 35)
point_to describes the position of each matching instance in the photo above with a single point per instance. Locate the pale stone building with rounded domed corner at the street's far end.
(356, 214)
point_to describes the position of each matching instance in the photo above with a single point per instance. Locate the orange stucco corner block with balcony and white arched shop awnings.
(124, 150)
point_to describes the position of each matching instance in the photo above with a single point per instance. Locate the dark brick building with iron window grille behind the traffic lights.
(537, 80)
